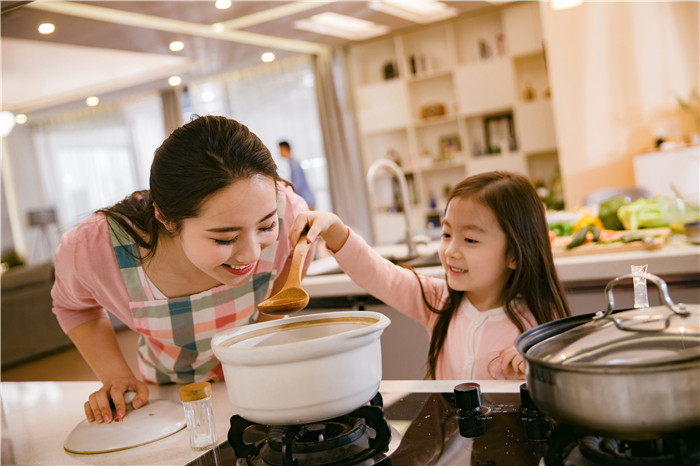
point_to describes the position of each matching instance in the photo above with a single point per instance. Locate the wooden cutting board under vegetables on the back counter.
(660, 239)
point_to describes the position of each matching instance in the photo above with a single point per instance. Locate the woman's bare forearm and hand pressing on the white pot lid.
(97, 343)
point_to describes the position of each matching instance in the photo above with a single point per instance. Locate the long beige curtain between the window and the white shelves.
(346, 179)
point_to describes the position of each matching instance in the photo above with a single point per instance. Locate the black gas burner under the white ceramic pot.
(360, 437)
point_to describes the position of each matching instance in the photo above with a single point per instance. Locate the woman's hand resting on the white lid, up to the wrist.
(98, 407)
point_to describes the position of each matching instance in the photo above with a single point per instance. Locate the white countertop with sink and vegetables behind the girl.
(678, 257)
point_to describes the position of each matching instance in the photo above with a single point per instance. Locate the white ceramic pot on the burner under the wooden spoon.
(302, 369)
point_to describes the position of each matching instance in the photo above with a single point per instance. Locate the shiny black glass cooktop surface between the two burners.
(428, 425)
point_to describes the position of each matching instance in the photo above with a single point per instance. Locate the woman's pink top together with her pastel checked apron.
(97, 271)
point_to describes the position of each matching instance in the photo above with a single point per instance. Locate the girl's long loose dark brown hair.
(521, 215)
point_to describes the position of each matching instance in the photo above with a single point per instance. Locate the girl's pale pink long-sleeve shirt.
(474, 339)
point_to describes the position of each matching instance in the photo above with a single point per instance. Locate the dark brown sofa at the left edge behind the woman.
(29, 328)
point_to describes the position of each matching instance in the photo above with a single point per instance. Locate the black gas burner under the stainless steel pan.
(564, 448)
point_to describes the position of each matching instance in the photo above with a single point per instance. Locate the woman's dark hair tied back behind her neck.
(198, 159)
